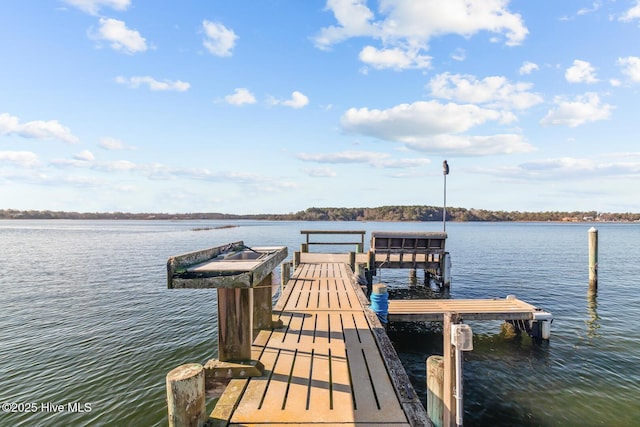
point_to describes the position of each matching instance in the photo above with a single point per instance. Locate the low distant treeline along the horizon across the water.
(382, 213)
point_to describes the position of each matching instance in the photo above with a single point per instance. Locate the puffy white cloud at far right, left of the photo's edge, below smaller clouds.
(582, 109)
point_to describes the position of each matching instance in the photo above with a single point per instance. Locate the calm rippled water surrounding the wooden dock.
(88, 329)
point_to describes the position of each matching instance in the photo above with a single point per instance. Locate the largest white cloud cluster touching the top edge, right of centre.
(405, 27)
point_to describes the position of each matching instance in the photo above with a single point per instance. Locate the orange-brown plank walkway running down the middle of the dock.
(330, 363)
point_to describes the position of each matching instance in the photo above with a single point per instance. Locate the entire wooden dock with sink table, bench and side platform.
(320, 357)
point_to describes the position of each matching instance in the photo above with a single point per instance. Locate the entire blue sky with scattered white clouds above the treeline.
(274, 106)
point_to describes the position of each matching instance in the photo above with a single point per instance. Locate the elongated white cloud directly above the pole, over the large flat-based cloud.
(494, 91)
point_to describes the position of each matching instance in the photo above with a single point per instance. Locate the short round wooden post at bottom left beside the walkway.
(186, 396)
